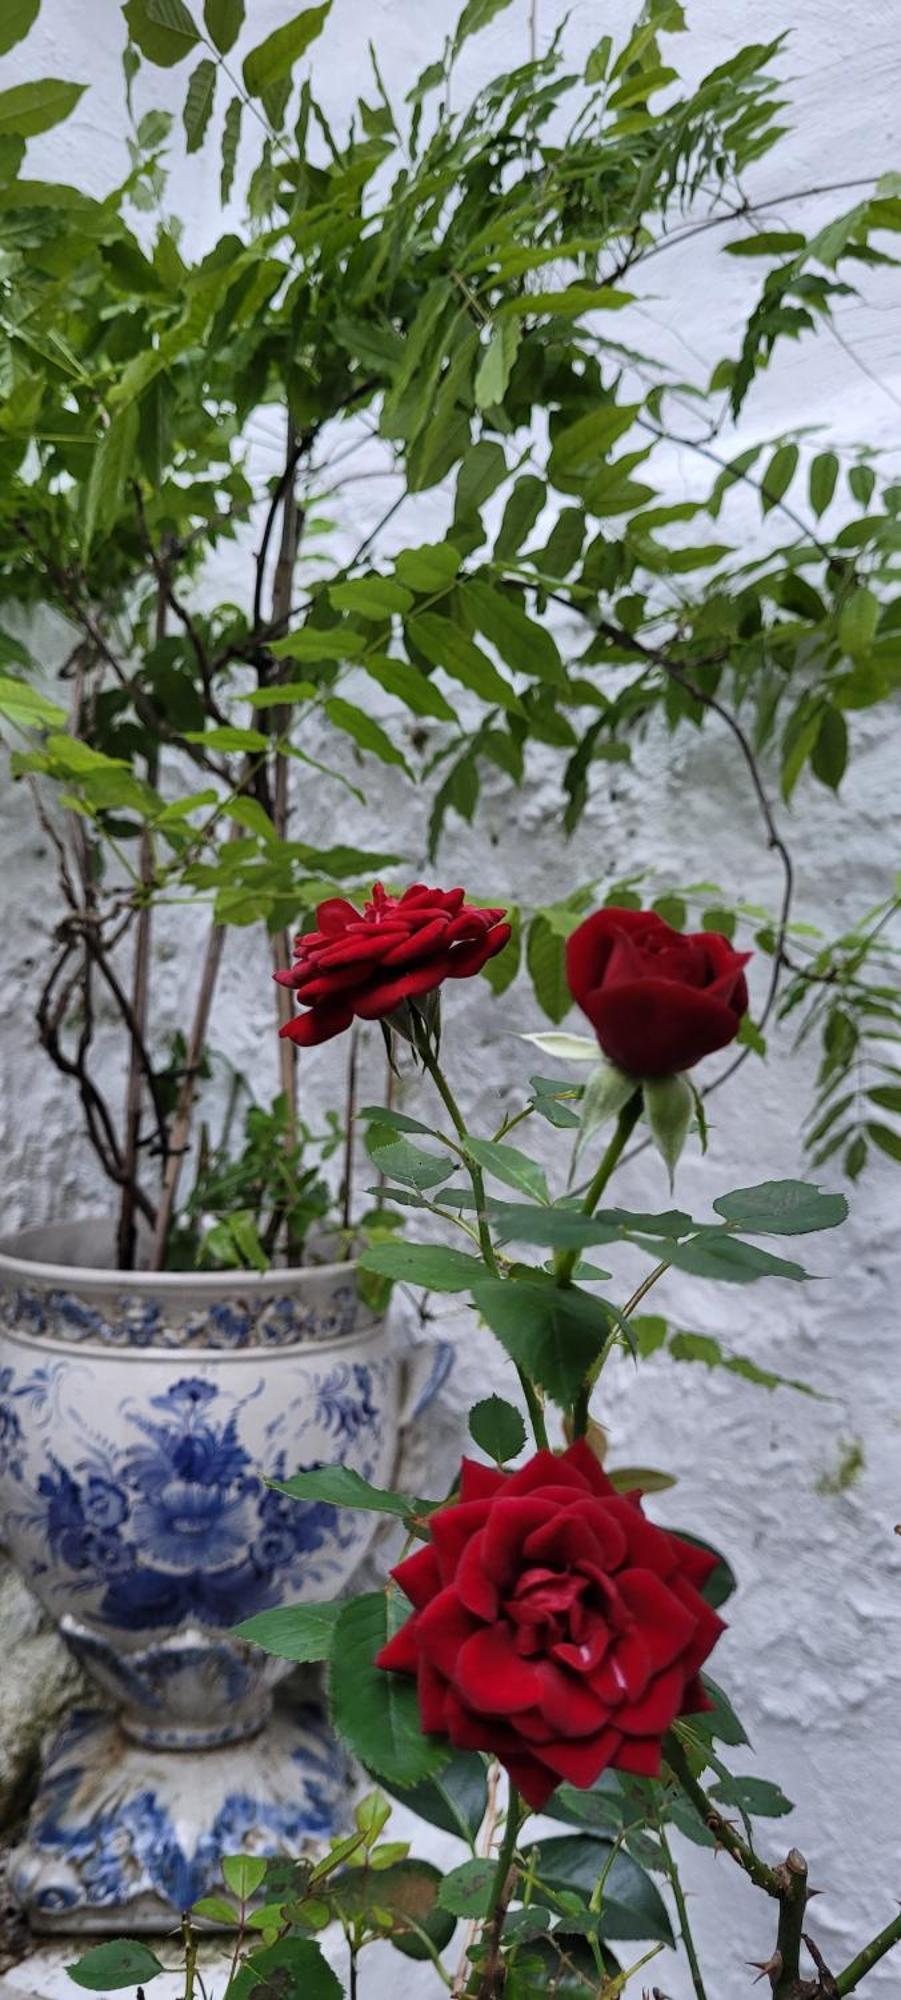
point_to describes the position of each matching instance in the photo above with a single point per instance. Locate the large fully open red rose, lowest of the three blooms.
(554, 1625)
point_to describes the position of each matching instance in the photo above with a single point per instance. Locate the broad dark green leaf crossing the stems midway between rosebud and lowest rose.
(556, 1333)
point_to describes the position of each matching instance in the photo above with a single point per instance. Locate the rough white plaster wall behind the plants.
(812, 1657)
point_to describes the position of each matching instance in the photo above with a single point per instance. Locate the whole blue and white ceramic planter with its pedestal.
(141, 1419)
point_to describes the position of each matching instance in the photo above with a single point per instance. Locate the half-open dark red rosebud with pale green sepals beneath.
(658, 999)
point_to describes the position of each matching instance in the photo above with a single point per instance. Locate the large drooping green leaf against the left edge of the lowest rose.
(377, 1713)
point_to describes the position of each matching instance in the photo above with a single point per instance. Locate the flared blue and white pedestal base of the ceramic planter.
(123, 1839)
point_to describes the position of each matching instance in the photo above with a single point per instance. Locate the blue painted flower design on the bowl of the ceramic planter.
(181, 1525)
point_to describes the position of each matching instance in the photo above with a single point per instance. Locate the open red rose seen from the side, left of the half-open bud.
(401, 947)
